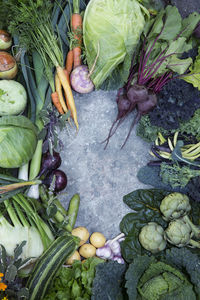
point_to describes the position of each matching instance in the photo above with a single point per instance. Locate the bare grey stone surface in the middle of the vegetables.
(101, 177)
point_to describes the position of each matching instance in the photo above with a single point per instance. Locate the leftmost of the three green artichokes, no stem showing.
(152, 237)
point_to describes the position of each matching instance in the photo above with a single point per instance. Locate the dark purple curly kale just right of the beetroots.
(177, 102)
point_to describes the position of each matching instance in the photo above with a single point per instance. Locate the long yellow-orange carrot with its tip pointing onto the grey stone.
(68, 92)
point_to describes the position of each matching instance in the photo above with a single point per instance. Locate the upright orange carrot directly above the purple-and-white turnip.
(76, 23)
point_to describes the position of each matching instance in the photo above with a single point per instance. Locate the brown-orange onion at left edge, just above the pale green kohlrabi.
(8, 66)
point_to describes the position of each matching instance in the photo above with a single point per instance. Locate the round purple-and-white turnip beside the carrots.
(80, 80)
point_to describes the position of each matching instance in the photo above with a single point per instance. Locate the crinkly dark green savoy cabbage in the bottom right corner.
(150, 279)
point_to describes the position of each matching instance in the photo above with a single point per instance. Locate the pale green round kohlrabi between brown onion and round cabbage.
(13, 97)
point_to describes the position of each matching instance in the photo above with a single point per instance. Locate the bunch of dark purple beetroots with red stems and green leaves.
(160, 60)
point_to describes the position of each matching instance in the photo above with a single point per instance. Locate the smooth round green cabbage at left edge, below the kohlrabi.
(18, 139)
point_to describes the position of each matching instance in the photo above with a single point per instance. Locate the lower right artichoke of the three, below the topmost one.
(180, 233)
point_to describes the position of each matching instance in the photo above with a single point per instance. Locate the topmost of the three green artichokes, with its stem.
(175, 206)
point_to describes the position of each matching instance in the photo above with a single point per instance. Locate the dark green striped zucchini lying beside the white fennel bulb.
(49, 263)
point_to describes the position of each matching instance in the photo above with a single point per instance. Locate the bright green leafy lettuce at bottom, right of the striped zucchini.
(75, 282)
